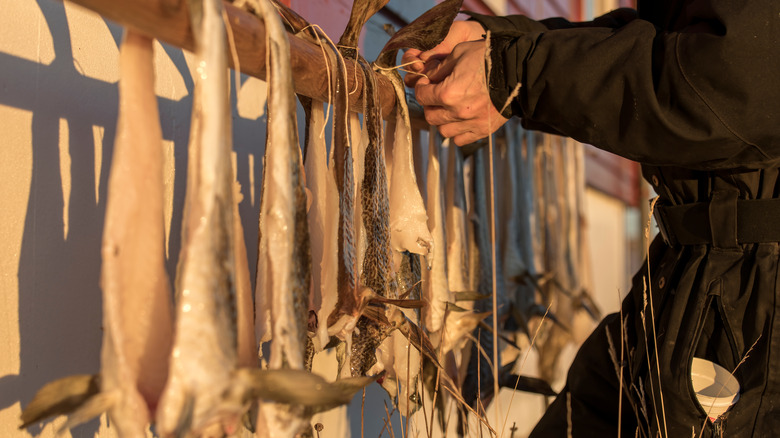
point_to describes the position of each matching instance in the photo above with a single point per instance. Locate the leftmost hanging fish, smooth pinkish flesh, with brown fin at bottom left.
(136, 291)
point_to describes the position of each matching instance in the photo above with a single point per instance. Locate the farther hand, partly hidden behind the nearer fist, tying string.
(423, 62)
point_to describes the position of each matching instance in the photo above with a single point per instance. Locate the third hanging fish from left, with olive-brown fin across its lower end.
(284, 263)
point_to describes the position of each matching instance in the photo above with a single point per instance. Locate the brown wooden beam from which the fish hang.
(169, 21)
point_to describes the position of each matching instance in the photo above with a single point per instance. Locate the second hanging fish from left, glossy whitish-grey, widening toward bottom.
(204, 354)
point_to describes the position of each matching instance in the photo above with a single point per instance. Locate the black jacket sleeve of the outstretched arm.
(705, 96)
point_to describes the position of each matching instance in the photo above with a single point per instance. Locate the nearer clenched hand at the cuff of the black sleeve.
(455, 96)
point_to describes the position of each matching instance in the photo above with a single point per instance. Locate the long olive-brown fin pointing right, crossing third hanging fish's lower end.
(298, 387)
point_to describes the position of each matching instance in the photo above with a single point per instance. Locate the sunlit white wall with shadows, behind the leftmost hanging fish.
(58, 108)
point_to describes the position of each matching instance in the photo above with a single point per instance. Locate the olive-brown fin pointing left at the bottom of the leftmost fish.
(60, 397)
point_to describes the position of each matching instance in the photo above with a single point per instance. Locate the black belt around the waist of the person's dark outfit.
(755, 221)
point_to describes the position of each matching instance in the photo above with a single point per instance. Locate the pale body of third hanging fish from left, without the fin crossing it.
(285, 238)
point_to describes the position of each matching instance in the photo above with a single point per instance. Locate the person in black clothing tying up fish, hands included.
(689, 89)
